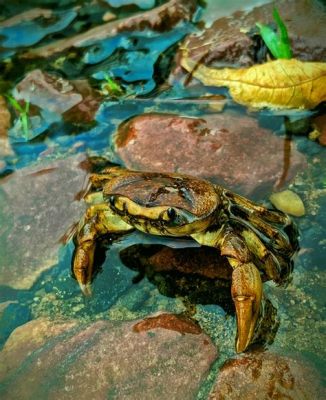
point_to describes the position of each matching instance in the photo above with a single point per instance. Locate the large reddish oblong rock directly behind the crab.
(223, 148)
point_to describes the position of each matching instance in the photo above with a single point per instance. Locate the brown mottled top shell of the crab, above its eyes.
(150, 189)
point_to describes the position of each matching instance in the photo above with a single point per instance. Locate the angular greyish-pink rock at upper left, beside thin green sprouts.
(47, 92)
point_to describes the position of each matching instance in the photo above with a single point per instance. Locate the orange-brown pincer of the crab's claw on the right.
(246, 292)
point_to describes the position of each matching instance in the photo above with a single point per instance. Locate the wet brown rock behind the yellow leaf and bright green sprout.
(227, 41)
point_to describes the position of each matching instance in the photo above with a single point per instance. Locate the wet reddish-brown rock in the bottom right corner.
(265, 376)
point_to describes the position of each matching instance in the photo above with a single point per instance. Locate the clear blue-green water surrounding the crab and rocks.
(300, 306)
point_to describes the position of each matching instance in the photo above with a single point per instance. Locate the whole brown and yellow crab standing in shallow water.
(256, 241)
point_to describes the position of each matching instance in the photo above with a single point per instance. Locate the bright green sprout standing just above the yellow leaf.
(278, 43)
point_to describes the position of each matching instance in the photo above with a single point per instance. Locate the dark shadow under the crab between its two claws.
(197, 275)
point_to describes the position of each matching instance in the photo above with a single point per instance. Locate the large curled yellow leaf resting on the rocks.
(275, 84)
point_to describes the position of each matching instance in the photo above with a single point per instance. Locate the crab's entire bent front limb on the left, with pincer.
(98, 221)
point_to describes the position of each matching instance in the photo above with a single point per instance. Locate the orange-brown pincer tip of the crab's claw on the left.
(83, 261)
